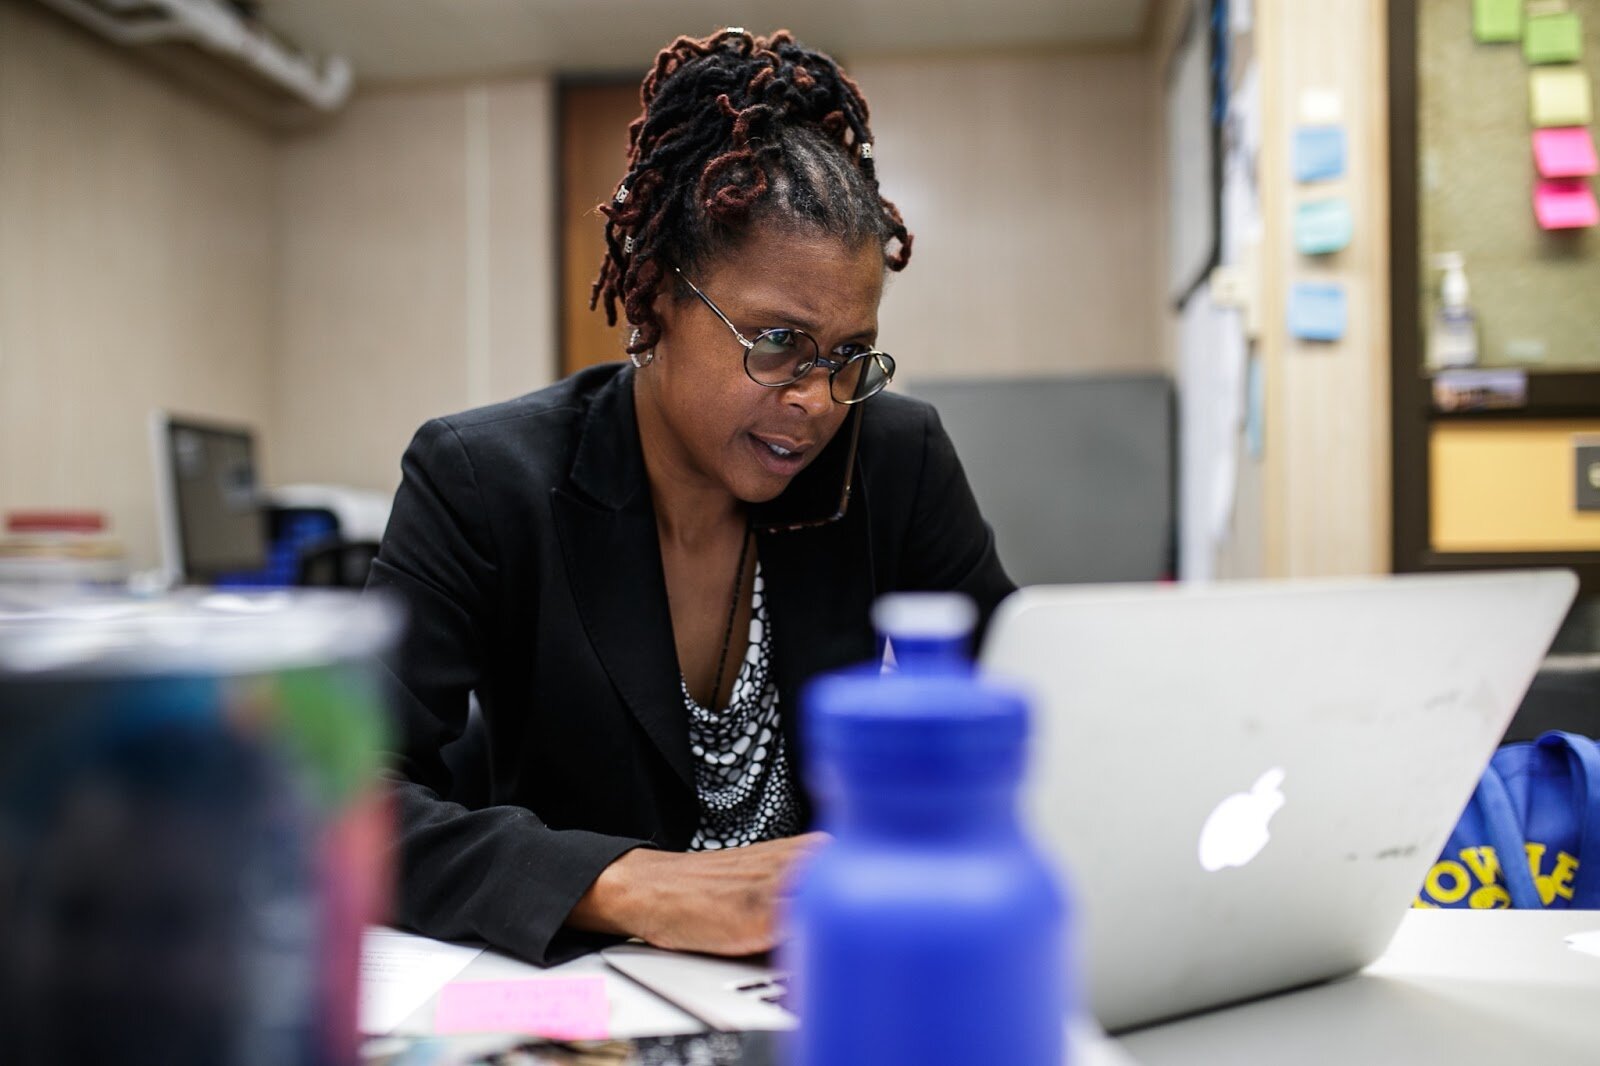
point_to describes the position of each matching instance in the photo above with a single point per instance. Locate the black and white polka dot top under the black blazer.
(742, 767)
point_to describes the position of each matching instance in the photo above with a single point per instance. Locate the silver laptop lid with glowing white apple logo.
(1247, 783)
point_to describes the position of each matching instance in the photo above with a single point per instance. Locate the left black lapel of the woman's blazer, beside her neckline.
(614, 564)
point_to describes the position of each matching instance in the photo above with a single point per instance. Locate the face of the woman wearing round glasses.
(724, 428)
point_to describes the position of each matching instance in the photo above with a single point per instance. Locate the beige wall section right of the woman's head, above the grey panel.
(1031, 185)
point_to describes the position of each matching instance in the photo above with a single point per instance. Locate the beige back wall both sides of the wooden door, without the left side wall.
(399, 307)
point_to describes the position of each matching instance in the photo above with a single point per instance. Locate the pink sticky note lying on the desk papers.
(559, 1008)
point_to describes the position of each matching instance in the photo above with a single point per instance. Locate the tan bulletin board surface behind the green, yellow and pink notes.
(1537, 294)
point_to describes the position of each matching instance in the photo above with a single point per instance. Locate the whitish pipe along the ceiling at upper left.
(220, 30)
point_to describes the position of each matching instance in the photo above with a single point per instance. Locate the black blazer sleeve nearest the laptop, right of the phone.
(948, 545)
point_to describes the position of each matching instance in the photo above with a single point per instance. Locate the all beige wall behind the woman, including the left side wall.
(338, 287)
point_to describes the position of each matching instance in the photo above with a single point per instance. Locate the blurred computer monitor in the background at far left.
(210, 507)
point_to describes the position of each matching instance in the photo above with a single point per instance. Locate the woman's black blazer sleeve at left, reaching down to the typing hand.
(495, 875)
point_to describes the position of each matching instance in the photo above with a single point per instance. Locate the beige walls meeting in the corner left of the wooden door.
(330, 291)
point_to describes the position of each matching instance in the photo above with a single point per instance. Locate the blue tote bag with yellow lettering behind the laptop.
(1538, 801)
